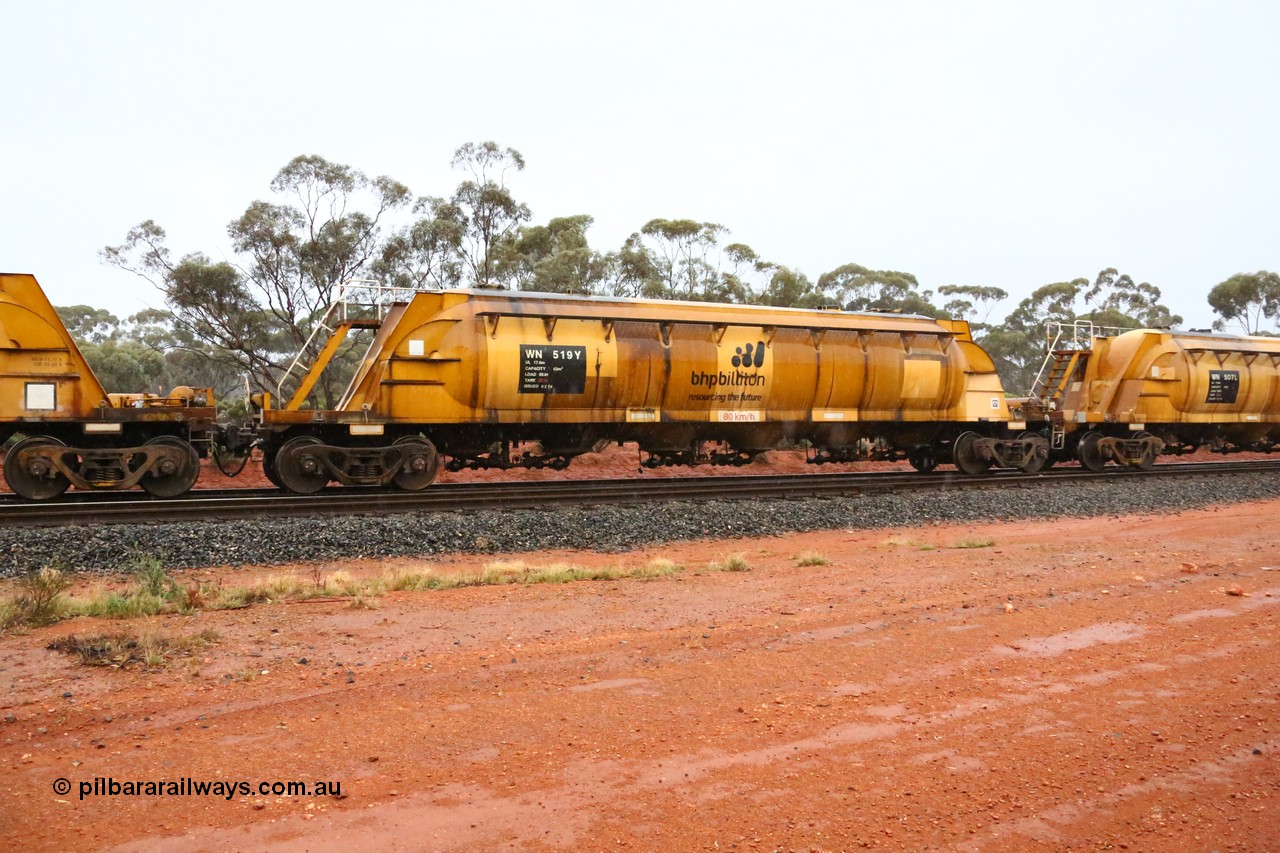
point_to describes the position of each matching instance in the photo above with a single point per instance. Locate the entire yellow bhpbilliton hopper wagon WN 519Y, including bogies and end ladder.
(492, 380)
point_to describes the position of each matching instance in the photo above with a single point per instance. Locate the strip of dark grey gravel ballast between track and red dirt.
(202, 545)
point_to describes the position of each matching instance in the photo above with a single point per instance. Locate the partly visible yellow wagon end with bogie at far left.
(74, 432)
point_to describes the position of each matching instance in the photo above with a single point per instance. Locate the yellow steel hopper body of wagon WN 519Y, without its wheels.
(483, 357)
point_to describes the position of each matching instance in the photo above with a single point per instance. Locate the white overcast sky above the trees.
(1003, 144)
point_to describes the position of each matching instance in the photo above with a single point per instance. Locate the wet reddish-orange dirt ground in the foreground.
(1053, 686)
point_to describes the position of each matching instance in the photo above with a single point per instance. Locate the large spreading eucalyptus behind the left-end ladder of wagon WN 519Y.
(292, 257)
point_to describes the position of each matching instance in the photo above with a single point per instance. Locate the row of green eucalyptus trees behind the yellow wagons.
(327, 226)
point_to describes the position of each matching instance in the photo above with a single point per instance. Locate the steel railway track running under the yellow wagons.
(138, 508)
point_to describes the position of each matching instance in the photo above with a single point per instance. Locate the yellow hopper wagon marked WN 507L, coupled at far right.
(1150, 391)
